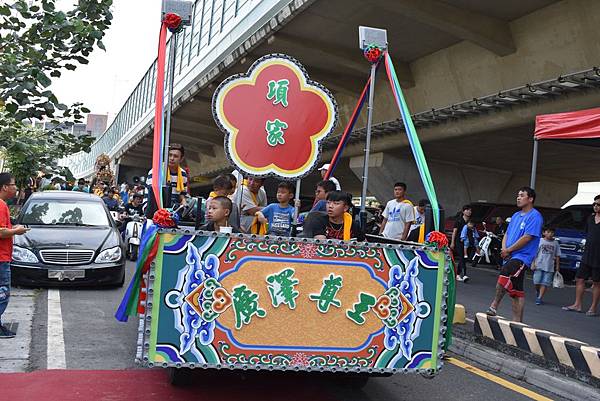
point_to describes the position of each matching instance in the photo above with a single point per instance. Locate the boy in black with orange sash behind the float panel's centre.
(336, 223)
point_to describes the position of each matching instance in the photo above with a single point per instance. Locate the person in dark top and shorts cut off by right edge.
(590, 263)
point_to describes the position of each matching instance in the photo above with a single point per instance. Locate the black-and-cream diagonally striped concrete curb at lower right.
(569, 356)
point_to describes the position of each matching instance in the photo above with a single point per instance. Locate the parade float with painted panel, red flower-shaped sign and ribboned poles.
(210, 300)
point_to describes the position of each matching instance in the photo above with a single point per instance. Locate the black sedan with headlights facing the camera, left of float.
(72, 241)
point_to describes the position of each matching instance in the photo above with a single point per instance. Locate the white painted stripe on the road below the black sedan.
(56, 341)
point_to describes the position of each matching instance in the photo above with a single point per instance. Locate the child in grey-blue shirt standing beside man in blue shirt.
(546, 262)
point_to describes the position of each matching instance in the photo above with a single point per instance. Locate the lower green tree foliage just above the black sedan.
(28, 150)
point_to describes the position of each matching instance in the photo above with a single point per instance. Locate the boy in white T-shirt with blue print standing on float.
(398, 215)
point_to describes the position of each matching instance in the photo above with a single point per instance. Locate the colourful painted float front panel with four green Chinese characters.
(238, 302)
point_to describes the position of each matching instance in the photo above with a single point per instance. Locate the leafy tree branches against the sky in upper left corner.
(37, 43)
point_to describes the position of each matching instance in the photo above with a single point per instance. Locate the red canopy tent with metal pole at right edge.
(582, 126)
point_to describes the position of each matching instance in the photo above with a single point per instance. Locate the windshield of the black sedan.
(64, 213)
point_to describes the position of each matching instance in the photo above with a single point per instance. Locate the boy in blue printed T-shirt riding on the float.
(279, 215)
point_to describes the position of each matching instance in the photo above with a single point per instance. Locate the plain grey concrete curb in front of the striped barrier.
(527, 372)
